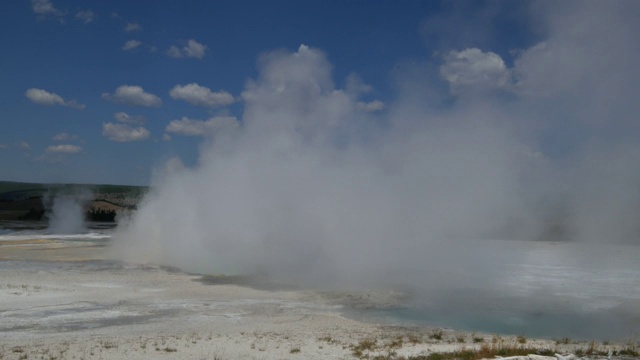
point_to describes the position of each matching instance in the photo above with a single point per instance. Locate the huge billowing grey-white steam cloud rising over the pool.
(308, 187)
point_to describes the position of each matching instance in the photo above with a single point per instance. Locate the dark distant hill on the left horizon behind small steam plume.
(31, 201)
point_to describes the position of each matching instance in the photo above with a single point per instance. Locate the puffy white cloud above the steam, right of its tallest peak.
(472, 69)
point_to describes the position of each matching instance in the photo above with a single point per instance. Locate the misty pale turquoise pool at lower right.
(541, 289)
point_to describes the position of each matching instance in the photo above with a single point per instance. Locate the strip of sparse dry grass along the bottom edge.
(393, 345)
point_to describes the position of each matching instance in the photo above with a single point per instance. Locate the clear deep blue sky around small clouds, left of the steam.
(77, 50)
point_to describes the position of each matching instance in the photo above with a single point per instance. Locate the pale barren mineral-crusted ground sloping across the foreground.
(68, 302)
